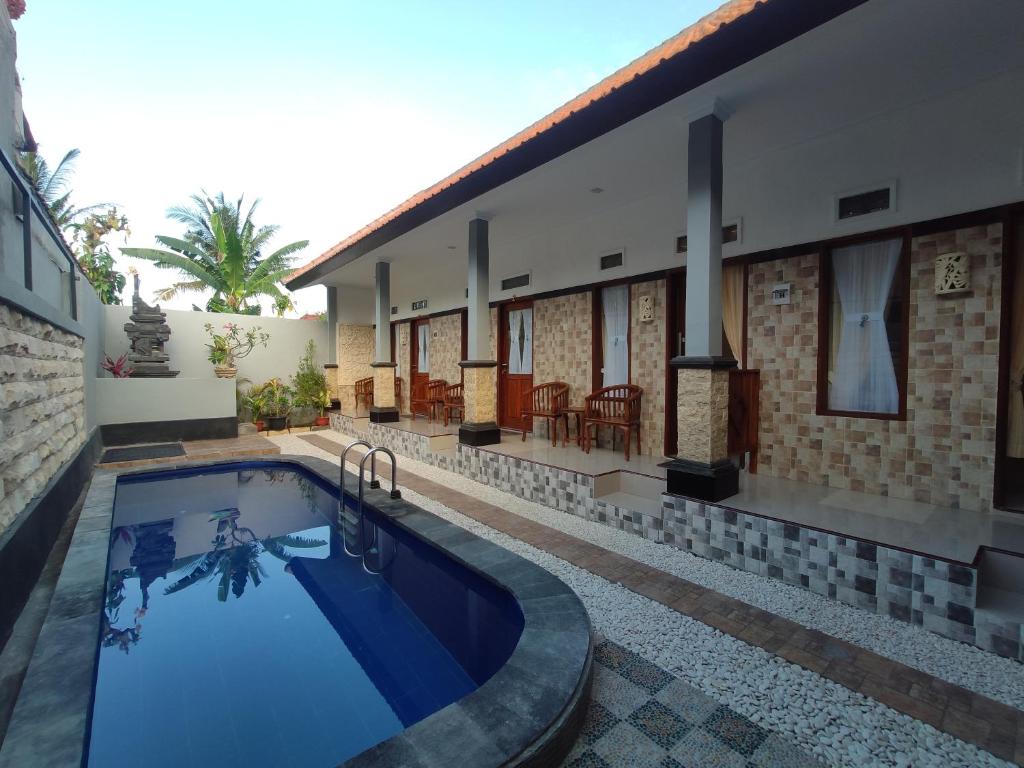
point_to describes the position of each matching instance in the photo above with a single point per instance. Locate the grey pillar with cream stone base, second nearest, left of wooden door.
(480, 426)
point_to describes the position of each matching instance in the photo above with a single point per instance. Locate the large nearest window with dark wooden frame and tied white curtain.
(863, 334)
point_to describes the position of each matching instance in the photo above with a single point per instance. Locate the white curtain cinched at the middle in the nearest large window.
(865, 379)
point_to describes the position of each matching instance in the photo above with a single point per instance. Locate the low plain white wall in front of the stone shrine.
(131, 401)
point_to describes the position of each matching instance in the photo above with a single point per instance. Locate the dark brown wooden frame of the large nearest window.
(903, 363)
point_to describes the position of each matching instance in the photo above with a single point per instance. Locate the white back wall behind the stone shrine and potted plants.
(188, 344)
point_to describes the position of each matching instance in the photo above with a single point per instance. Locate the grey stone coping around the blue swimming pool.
(529, 714)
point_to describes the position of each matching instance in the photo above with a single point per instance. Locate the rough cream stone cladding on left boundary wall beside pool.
(42, 407)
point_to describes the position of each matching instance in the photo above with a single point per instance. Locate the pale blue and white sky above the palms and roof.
(330, 112)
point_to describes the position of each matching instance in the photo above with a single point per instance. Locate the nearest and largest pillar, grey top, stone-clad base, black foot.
(703, 468)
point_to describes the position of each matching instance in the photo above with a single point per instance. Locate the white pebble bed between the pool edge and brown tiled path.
(841, 728)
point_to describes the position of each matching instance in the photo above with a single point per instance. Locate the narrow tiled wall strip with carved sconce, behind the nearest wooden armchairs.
(648, 364)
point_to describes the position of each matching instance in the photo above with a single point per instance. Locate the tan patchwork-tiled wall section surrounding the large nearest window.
(945, 452)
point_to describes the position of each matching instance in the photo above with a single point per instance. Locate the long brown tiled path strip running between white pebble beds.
(969, 716)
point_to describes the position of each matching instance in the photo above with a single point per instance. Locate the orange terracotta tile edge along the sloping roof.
(703, 29)
